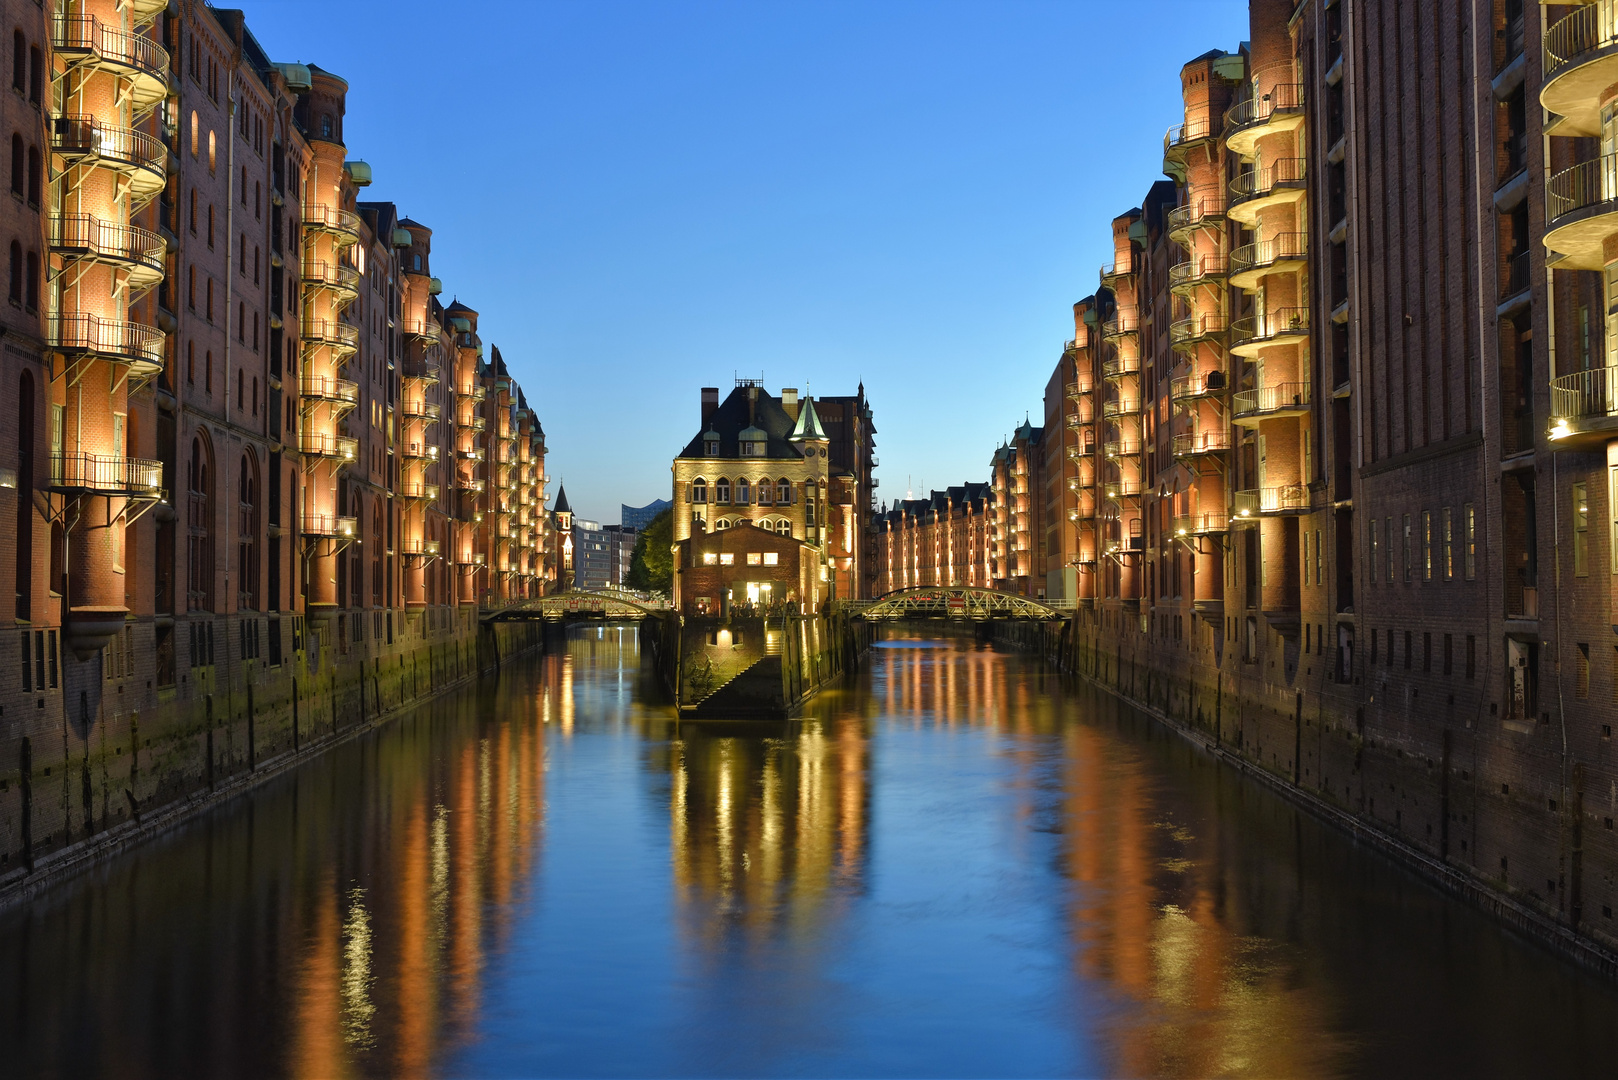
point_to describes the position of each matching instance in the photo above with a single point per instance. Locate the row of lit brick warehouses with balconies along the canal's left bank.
(252, 453)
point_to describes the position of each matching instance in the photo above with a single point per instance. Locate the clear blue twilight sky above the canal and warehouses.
(648, 198)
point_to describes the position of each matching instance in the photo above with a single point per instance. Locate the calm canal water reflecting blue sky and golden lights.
(960, 864)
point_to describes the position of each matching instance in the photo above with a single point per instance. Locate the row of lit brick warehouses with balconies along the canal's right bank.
(1334, 467)
